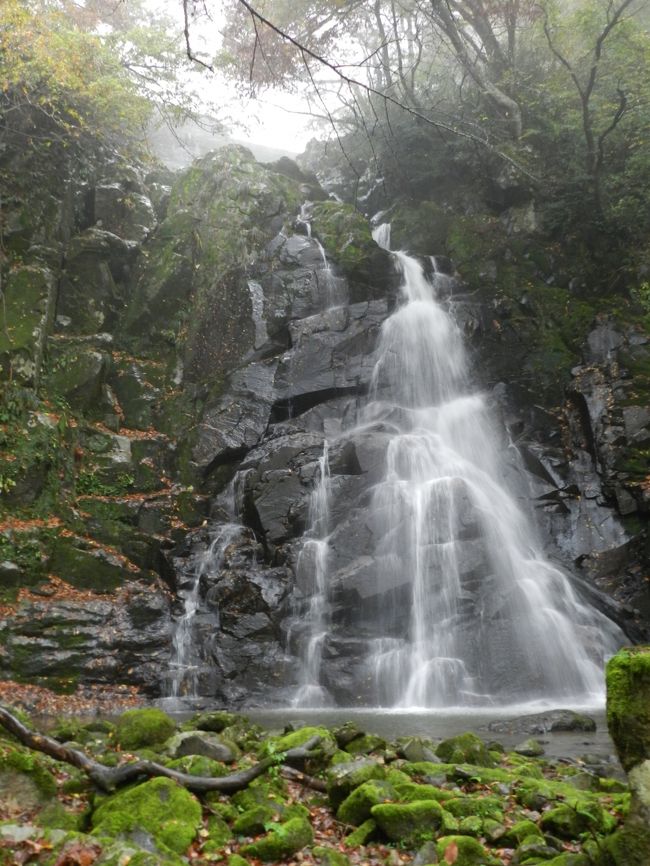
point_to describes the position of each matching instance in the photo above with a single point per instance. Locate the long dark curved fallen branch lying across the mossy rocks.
(108, 779)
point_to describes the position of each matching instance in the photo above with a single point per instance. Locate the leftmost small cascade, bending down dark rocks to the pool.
(186, 663)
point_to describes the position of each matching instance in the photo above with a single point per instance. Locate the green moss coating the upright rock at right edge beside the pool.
(628, 704)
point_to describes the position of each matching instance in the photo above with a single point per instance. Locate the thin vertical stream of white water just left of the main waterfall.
(312, 573)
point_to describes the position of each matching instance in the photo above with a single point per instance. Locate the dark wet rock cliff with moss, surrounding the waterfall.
(165, 334)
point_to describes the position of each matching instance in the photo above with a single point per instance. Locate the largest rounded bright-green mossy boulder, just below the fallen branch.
(159, 808)
